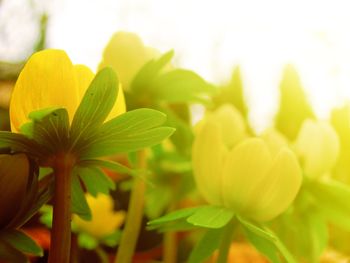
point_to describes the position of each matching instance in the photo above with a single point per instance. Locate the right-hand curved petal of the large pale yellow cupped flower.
(278, 188)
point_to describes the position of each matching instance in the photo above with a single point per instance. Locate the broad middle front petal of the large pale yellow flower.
(243, 172)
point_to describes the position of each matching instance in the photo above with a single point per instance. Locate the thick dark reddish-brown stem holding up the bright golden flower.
(61, 228)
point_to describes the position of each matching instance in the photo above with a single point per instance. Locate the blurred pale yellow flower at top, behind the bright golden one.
(126, 54)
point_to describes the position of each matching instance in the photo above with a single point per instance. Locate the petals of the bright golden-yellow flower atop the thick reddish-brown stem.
(49, 79)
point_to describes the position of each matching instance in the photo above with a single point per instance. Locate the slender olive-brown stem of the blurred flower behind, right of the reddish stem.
(134, 217)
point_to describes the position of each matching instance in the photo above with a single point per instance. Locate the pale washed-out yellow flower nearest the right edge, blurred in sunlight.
(317, 145)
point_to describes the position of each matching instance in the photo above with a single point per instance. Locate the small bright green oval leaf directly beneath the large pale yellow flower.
(210, 217)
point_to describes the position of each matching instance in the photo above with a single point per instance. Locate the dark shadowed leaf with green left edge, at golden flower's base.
(49, 128)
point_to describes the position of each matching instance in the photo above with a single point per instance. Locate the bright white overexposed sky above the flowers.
(210, 37)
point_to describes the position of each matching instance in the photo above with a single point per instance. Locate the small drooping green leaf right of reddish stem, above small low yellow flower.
(95, 180)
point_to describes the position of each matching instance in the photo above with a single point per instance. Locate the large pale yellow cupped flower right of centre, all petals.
(246, 177)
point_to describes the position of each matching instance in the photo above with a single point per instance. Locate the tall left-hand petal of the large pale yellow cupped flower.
(208, 155)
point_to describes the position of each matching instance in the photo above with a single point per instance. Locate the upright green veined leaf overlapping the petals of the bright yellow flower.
(96, 104)
